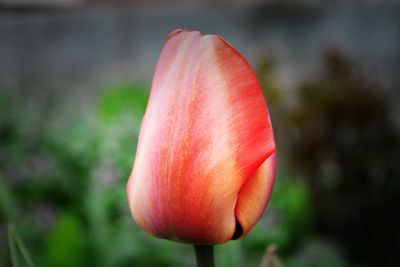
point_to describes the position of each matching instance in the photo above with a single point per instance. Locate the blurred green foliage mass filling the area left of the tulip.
(61, 181)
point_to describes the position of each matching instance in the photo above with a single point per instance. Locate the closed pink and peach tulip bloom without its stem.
(205, 162)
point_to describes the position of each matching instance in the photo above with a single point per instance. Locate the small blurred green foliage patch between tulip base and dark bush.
(286, 222)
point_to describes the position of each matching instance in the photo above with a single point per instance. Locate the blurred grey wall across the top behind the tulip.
(86, 50)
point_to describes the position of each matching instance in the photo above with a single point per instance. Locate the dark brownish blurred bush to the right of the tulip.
(343, 138)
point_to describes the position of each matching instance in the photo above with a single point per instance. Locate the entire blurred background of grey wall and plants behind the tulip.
(74, 83)
